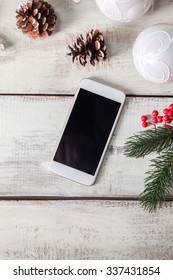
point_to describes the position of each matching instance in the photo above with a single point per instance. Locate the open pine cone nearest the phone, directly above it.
(93, 48)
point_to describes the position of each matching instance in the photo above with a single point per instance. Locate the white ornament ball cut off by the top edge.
(124, 10)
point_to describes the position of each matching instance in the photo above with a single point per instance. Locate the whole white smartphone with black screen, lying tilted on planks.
(87, 132)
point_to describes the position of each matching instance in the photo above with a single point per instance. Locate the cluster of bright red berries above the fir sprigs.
(167, 117)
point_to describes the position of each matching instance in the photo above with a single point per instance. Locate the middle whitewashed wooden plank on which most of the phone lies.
(29, 130)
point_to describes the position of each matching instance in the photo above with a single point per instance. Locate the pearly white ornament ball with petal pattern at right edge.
(153, 53)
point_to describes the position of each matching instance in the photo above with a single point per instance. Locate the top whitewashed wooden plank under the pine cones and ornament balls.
(35, 66)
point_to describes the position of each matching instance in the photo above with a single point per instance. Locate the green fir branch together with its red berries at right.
(159, 180)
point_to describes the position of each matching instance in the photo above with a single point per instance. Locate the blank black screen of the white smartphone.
(87, 131)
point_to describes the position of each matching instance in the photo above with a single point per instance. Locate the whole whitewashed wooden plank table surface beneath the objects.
(43, 216)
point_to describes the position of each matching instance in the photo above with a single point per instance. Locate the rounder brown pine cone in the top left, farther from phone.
(36, 18)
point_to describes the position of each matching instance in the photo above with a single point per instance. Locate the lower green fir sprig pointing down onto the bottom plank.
(159, 182)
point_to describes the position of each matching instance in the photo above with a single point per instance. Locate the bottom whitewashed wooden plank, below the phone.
(84, 230)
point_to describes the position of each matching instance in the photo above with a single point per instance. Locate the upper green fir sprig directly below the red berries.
(151, 140)
